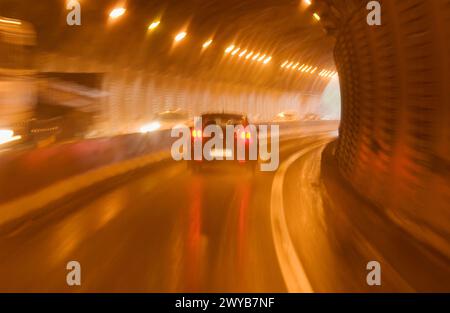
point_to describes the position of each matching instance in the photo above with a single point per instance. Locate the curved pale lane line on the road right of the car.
(292, 269)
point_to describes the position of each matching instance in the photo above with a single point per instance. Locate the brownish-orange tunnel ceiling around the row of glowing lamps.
(283, 29)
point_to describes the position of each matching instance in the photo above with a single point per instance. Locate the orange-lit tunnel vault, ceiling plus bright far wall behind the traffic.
(147, 65)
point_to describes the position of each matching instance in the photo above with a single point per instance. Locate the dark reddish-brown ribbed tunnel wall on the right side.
(394, 145)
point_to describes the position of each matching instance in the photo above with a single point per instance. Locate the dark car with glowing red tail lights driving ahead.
(239, 145)
